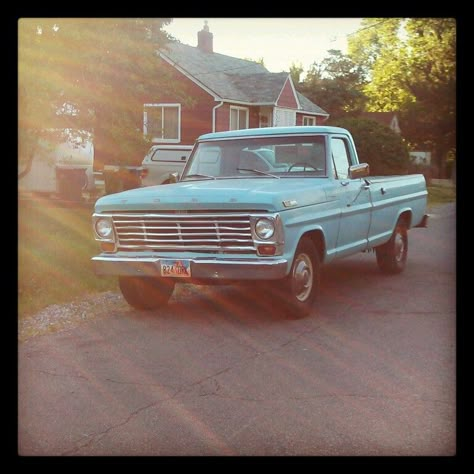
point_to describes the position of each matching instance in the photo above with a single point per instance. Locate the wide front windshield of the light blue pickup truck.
(272, 157)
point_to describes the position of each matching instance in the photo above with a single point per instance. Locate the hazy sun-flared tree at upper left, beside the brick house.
(87, 75)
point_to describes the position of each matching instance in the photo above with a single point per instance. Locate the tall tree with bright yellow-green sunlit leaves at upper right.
(411, 67)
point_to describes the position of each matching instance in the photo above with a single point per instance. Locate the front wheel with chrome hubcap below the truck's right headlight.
(303, 283)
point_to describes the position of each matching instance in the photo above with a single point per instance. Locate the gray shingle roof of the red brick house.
(232, 78)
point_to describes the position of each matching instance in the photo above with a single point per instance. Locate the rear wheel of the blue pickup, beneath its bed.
(392, 256)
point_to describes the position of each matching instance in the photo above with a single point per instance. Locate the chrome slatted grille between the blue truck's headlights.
(184, 232)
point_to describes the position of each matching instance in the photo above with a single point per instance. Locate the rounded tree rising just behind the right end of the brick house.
(335, 84)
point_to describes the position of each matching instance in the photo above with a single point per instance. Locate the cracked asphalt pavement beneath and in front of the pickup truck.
(218, 372)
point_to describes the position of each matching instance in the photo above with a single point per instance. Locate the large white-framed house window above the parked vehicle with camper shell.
(162, 122)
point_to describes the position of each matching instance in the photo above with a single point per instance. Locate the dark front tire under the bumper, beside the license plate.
(146, 293)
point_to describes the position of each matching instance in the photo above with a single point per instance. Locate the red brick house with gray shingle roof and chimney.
(227, 93)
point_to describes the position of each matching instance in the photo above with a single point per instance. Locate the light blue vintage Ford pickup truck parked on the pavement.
(268, 206)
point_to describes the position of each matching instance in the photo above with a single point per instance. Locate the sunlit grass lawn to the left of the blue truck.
(55, 245)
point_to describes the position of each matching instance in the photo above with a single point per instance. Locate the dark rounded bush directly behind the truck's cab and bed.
(380, 147)
